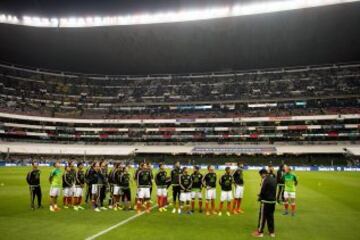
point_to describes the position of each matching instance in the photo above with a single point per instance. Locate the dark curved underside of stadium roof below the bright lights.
(309, 36)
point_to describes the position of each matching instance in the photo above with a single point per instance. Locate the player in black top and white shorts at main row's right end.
(239, 188)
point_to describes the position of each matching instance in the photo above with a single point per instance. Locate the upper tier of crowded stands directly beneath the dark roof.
(309, 90)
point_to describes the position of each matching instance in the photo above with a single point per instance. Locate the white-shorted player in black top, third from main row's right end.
(209, 181)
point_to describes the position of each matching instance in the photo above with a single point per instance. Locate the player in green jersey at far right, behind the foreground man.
(291, 182)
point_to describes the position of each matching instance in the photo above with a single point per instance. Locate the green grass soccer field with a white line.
(328, 207)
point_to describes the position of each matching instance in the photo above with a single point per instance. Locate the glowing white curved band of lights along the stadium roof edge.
(170, 16)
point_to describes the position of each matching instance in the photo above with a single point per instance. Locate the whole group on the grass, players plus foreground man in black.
(188, 187)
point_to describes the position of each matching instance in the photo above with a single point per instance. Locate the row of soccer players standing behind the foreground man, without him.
(186, 187)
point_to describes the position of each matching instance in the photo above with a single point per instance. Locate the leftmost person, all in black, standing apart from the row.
(33, 180)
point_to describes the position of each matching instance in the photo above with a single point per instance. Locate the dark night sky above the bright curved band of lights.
(89, 7)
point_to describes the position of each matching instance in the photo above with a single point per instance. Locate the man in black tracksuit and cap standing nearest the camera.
(267, 198)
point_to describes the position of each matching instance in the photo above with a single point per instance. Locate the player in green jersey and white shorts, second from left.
(55, 186)
